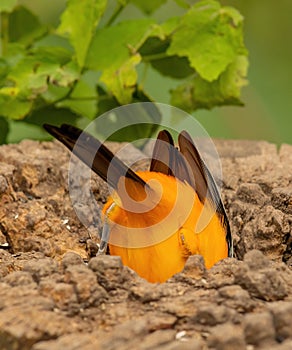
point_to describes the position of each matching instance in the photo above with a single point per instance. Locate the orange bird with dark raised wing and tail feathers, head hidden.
(156, 219)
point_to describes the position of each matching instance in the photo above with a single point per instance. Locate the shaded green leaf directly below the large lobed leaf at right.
(199, 93)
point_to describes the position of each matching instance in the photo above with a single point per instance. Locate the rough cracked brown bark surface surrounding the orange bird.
(54, 295)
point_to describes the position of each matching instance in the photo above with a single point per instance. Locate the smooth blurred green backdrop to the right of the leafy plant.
(267, 114)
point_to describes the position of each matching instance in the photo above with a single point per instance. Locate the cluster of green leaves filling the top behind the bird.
(102, 54)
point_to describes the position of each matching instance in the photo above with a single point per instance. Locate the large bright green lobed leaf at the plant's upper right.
(213, 36)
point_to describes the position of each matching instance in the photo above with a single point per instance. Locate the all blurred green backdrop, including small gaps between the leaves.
(268, 97)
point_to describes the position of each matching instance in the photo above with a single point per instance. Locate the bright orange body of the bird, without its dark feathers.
(157, 242)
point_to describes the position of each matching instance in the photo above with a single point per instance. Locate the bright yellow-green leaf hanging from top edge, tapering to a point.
(79, 21)
